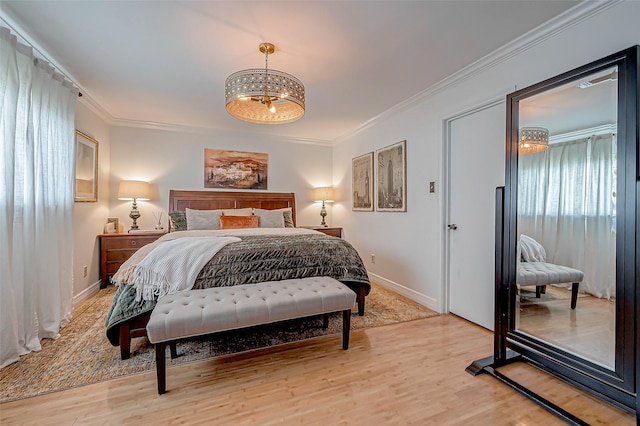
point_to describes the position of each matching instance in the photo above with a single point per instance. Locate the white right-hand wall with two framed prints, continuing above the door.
(408, 246)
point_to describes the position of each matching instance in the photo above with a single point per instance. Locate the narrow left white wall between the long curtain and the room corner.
(88, 218)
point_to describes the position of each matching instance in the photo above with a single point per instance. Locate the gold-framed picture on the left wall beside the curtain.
(86, 168)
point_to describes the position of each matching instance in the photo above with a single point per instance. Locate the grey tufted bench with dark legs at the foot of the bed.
(199, 312)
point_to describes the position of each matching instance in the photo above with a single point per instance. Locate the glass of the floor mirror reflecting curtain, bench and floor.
(567, 217)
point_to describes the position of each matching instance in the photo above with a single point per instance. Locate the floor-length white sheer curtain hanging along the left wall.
(36, 196)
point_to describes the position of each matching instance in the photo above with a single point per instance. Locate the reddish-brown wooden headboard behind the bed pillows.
(213, 200)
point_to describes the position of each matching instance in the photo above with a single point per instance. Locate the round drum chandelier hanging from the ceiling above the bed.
(264, 96)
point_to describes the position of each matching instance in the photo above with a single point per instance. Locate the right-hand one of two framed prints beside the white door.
(391, 178)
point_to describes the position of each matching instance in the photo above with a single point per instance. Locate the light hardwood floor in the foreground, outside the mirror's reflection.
(411, 373)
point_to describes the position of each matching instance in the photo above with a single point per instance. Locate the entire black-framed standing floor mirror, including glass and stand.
(567, 232)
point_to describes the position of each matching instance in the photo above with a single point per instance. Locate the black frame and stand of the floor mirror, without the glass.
(618, 386)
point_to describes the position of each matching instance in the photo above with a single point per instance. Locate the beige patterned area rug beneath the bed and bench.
(83, 355)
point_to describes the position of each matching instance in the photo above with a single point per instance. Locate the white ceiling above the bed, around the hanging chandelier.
(166, 61)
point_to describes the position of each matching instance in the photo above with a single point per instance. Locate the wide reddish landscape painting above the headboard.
(235, 169)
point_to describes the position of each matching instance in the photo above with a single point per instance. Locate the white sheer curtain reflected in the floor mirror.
(566, 200)
